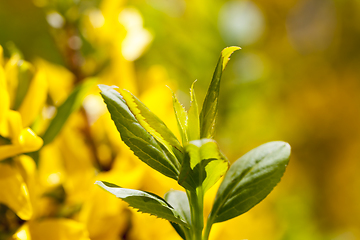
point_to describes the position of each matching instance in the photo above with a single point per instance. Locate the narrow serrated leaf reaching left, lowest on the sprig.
(145, 202)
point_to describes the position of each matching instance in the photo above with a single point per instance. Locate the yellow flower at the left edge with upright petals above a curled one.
(14, 125)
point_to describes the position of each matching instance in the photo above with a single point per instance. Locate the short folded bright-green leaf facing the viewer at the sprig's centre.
(203, 165)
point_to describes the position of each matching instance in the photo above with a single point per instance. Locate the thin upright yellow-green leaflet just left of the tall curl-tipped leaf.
(193, 125)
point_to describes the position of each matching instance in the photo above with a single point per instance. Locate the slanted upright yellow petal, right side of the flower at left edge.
(34, 99)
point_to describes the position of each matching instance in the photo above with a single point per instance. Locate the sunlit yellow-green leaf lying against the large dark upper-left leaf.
(154, 126)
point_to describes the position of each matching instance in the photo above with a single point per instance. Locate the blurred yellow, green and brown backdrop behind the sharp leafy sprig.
(296, 79)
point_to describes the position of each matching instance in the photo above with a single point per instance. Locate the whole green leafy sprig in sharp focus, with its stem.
(196, 164)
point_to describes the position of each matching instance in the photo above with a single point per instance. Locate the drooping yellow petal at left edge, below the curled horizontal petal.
(14, 192)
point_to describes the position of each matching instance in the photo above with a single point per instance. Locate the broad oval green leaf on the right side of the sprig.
(249, 180)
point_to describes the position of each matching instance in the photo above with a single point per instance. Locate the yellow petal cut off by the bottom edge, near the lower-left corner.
(54, 229)
